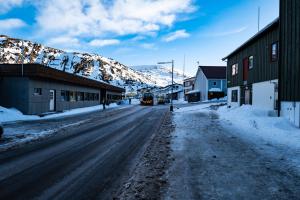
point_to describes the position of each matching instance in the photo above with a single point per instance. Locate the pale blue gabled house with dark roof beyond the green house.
(210, 82)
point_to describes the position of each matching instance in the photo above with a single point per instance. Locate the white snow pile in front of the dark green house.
(256, 122)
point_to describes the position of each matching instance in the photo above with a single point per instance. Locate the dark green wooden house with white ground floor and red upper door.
(252, 70)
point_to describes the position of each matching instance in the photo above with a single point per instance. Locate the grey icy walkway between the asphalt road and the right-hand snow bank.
(215, 161)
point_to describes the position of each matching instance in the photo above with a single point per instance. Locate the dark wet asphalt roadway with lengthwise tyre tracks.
(83, 162)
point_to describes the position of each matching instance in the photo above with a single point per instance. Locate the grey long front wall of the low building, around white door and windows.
(40, 103)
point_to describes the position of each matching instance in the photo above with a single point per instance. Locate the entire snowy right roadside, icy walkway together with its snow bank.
(237, 153)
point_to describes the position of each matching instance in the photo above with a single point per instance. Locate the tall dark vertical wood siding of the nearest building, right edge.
(290, 50)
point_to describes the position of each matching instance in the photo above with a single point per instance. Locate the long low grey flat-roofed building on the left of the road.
(40, 89)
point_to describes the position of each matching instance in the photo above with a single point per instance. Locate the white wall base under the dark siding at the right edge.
(291, 111)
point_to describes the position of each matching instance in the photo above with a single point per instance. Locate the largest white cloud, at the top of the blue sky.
(121, 17)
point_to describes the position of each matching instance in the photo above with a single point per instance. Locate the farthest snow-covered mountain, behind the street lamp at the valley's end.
(162, 74)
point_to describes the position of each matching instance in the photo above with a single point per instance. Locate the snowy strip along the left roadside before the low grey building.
(20, 129)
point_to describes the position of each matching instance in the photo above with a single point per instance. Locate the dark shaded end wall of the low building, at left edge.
(14, 93)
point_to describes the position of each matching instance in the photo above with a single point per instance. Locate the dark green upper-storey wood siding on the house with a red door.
(263, 69)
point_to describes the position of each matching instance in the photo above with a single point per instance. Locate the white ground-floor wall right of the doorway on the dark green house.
(263, 95)
